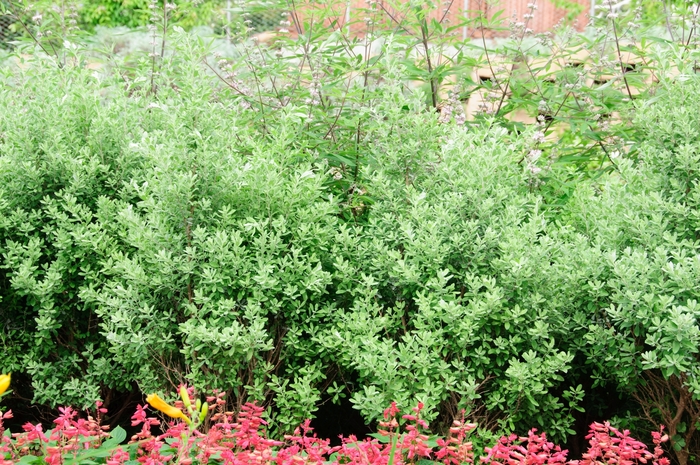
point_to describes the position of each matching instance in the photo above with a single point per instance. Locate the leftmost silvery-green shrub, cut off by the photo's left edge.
(61, 158)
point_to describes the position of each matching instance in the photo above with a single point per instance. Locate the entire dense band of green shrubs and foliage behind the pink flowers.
(296, 223)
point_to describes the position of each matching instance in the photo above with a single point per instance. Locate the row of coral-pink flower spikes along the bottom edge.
(242, 440)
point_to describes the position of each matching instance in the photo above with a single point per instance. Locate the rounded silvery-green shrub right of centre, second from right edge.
(455, 301)
